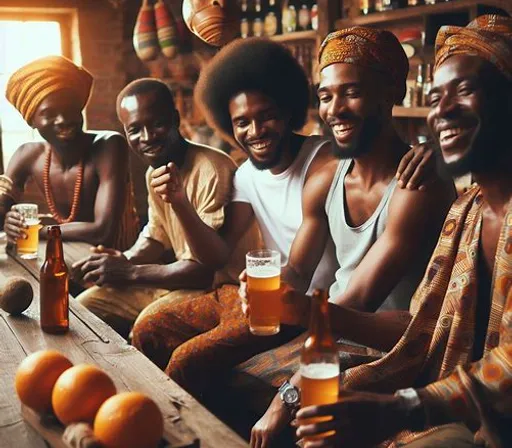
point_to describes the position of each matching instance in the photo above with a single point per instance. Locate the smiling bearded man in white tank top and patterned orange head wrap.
(383, 235)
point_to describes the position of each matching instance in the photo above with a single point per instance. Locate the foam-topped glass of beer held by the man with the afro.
(263, 283)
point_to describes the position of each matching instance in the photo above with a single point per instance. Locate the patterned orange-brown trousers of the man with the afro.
(196, 339)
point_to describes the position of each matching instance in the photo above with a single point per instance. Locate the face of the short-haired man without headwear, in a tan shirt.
(152, 128)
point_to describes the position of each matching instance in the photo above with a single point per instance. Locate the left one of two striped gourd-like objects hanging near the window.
(145, 40)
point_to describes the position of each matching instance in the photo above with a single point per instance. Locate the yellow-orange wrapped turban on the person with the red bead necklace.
(33, 82)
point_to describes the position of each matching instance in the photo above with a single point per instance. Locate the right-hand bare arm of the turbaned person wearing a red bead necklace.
(112, 167)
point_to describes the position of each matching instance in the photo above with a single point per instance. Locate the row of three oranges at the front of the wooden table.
(46, 381)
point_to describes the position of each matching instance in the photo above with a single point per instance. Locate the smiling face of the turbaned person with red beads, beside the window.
(58, 118)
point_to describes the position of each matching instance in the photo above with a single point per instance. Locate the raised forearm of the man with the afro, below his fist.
(205, 242)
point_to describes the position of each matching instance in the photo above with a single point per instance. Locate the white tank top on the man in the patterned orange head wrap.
(352, 243)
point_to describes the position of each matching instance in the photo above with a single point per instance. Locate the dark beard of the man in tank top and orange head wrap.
(362, 144)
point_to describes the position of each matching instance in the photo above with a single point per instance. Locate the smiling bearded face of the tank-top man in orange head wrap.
(351, 106)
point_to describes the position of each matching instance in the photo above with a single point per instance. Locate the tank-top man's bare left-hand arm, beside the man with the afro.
(309, 242)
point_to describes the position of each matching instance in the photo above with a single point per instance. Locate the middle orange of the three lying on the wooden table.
(79, 392)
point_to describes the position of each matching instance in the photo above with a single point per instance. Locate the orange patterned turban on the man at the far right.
(489, 37)
